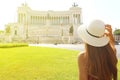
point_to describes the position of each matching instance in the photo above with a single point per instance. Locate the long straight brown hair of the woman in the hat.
(101, 62)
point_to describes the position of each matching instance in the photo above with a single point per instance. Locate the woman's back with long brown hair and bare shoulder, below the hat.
(98, 63)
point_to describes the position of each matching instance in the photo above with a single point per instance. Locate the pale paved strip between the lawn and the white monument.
(72, 47)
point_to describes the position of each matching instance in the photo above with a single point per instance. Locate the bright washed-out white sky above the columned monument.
(106, 10)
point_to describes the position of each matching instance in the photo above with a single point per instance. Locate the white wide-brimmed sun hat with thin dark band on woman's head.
(93, 34)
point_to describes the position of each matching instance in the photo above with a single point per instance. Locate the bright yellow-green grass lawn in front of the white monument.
(38, 63)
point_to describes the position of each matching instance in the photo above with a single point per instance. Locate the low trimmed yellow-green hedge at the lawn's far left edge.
(10, 45)
